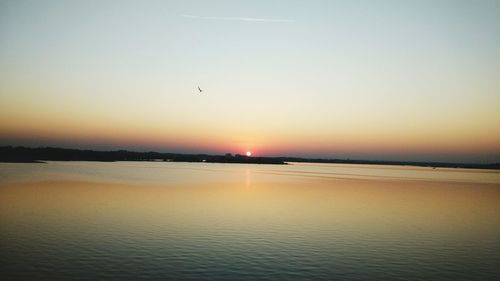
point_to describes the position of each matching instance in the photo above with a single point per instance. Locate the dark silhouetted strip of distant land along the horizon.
(22, 154)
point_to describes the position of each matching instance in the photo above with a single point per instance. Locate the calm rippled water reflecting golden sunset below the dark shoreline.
(198, 221)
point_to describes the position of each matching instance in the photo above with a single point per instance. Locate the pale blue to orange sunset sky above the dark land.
(389, 80)
